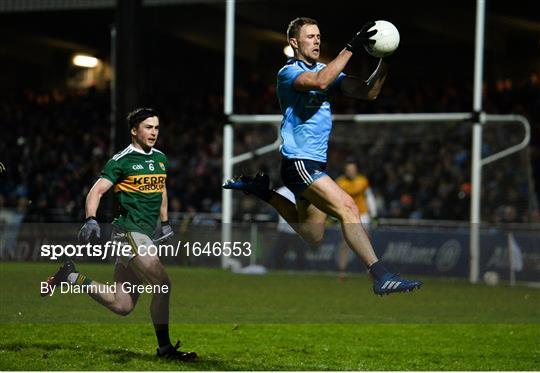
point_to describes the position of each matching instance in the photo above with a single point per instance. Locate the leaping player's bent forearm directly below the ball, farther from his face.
(368, 89)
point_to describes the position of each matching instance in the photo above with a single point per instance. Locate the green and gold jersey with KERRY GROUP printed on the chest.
(139, 181)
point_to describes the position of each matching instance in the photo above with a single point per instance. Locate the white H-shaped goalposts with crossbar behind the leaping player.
(477, 116)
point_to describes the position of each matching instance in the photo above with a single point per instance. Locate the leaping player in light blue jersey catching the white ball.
(305, 89)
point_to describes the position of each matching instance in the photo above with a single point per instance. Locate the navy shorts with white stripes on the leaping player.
(298, 174)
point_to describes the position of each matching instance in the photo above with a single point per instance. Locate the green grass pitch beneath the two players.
(275, 322)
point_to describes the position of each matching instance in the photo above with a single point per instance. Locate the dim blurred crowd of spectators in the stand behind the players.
(54, 144)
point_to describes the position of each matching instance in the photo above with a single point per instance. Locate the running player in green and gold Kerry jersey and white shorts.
(138, 174)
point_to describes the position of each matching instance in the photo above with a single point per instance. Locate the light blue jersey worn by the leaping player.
(307, 118)
